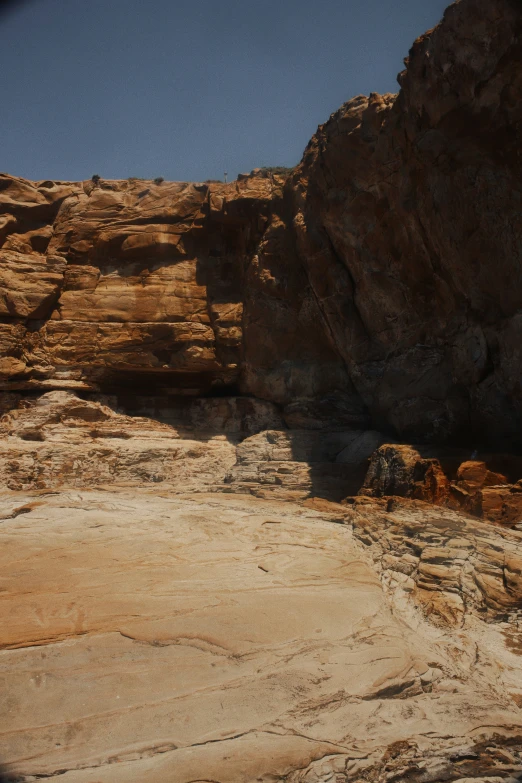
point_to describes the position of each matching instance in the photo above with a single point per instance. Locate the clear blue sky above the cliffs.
(187, 89)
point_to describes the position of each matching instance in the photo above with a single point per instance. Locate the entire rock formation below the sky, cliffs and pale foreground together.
(261, 484)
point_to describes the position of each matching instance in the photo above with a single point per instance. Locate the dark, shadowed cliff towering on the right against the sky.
(410, 231)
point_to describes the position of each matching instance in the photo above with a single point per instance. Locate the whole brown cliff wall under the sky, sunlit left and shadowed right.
(379, 284)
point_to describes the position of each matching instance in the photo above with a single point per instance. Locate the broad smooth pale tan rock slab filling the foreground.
(227, 638)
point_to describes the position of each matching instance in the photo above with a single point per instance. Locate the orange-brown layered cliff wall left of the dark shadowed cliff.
(155, 288)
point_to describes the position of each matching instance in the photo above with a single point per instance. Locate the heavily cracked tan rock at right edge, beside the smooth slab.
(449, 563)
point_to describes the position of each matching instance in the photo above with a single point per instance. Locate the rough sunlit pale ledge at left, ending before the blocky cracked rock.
(61, 440)
